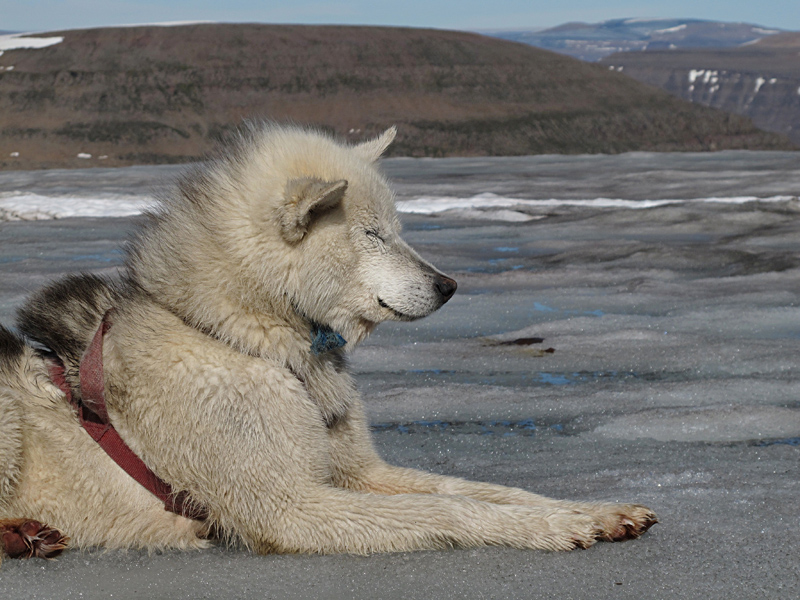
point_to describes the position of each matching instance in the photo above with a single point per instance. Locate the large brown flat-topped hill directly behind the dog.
(118, 96)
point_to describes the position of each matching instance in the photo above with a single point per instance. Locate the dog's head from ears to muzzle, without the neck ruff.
(329, 236)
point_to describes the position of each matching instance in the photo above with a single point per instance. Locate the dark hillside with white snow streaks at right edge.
(760, 80)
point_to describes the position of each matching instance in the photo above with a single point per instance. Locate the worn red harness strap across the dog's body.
(93, 417)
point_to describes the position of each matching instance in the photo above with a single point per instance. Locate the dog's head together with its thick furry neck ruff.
(286, 221)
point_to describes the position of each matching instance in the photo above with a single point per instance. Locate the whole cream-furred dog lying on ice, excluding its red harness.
(211, 380)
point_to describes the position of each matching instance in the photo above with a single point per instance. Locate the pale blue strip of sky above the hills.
(51, 15)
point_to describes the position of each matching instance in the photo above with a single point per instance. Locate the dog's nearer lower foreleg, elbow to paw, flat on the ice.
(331, 520)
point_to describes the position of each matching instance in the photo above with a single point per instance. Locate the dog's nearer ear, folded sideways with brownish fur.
(303, 197)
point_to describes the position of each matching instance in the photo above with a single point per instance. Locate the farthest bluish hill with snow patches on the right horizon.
(594, 41)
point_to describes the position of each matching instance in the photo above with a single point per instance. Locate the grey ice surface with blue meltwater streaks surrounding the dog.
(644, 351)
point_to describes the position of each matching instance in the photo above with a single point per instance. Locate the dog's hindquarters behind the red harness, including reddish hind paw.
(55, 478)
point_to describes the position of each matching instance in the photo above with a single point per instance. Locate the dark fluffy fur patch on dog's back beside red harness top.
(64, 316)
